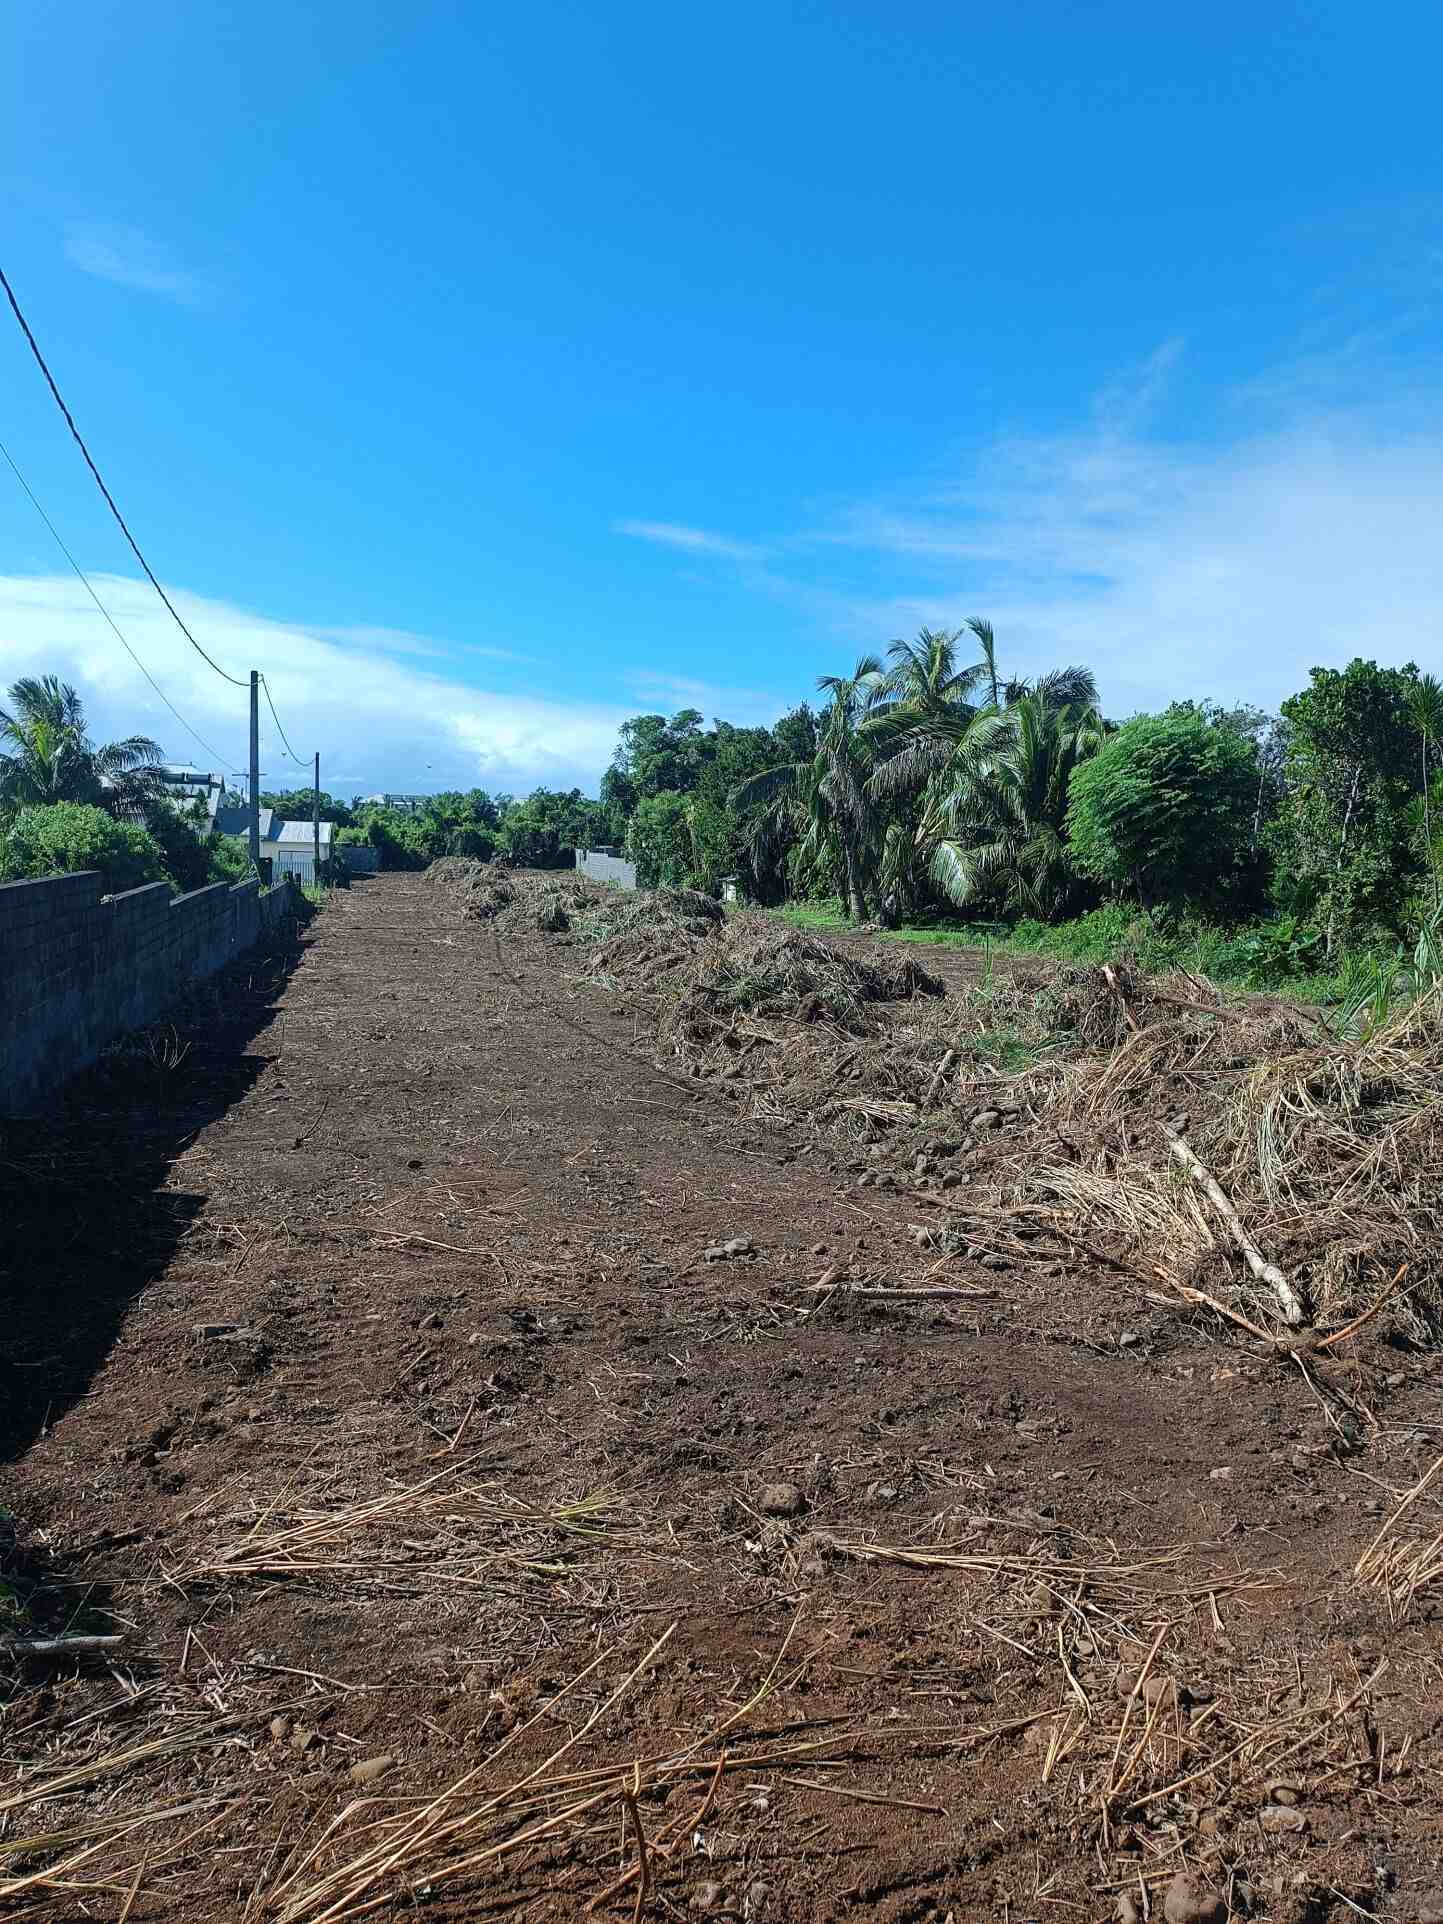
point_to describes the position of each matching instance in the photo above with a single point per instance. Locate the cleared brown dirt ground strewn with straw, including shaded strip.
(484, 1548)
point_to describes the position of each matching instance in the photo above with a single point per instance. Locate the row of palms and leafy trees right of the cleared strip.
(936, 782)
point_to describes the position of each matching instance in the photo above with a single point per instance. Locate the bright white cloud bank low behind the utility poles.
(395, 722)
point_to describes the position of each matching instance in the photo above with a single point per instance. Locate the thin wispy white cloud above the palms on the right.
(1298, 532)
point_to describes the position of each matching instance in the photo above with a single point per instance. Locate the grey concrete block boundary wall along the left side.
(80, 969)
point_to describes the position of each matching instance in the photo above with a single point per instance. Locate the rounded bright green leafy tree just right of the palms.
(1165, 809)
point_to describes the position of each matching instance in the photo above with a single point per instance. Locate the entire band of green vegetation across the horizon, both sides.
(934, 788)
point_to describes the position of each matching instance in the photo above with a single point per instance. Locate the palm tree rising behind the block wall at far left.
(49, 757)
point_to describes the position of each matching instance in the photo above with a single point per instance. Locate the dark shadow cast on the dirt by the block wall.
(86, 1221)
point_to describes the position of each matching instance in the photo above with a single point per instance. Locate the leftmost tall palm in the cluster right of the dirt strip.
(826, 797)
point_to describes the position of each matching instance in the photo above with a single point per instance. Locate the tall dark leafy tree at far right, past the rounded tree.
(1344, 844)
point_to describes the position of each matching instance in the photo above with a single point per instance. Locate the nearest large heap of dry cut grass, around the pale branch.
(1330, 1150)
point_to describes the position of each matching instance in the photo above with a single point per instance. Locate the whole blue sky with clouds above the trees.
(488, 374)
